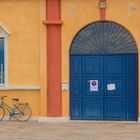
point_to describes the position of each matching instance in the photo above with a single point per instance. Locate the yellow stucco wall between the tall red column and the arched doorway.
(75, 14)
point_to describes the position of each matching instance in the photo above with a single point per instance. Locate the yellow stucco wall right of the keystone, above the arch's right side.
(127, 13)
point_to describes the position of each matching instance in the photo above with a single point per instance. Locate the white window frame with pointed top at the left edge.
(5, 34)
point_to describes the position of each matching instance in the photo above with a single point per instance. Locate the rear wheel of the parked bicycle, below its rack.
(23, 112)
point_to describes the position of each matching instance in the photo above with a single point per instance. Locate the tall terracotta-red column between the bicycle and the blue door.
(53, 38)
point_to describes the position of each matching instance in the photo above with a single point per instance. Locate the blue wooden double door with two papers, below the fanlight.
(115, 95)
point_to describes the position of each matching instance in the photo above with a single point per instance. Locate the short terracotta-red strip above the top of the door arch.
(102, 6)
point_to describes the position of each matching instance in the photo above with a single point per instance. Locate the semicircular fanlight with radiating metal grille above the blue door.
(103, 38)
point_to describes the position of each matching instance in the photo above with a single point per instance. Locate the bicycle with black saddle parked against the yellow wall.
(21, 111)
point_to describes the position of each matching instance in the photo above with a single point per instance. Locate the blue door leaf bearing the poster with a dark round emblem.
(92, 87)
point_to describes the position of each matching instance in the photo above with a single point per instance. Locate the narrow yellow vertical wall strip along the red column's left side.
(43, 61)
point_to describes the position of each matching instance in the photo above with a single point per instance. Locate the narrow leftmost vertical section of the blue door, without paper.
(75, 87)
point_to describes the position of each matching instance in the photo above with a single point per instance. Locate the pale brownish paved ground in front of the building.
(33, 130)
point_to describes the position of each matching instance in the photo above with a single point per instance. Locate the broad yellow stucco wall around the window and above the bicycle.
(22, 19)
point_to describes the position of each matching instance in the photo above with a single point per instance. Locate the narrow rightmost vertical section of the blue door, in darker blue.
(132, 87)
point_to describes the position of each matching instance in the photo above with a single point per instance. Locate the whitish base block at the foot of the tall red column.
(53, 119)
